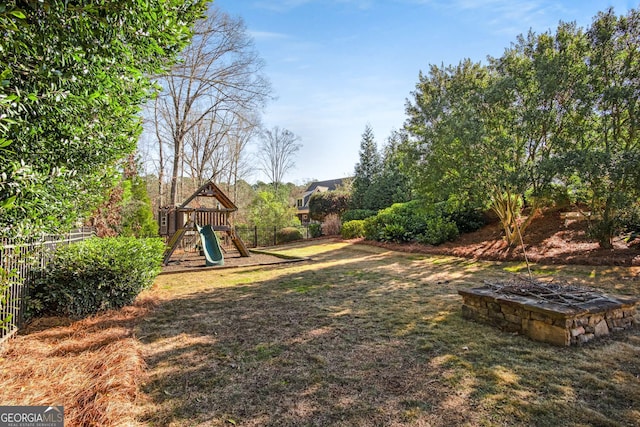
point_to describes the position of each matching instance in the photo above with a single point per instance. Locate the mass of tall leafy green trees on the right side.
(556, 110)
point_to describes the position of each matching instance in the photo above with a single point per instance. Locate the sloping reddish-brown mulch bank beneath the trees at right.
(548, 240)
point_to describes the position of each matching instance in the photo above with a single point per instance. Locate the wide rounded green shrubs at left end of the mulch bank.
(413, 221)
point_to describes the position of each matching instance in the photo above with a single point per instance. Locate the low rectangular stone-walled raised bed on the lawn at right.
(558, 314)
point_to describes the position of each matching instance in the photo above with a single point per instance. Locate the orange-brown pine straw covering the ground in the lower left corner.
(92, 367)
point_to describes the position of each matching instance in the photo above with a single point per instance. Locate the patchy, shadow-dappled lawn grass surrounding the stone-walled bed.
(364, 336)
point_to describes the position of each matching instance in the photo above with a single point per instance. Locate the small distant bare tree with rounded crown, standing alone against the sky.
(276, 153)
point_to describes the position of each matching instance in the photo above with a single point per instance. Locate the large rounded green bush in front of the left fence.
(96, 274)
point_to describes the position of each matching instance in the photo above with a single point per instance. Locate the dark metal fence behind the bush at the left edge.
(18, 263)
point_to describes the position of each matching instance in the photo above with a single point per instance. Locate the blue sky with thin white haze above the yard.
(338, 65)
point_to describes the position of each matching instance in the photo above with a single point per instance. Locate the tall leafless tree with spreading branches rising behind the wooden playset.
(217, 84)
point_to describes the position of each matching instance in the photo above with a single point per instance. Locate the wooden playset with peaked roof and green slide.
(194, 215)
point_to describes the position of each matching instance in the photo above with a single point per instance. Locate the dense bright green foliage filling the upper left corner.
(72, 79)
